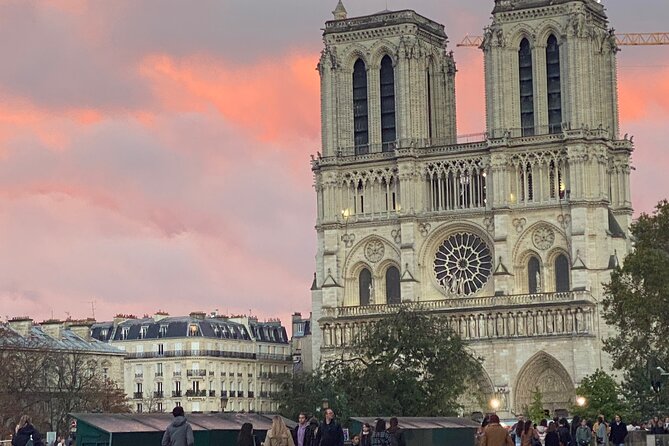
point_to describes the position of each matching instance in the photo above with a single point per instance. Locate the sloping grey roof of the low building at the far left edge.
(39, 340)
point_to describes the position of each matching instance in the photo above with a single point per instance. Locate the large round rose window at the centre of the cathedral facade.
(463, 263)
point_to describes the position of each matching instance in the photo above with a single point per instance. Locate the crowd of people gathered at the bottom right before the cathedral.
(561, 432)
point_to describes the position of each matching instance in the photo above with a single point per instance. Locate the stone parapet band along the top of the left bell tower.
(383, 19)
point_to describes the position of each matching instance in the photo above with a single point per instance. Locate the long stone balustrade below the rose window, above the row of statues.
(461, 304)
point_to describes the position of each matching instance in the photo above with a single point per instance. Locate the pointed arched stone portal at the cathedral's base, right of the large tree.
(542, 371)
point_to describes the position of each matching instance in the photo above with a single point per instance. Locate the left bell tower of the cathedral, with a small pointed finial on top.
(386, 82)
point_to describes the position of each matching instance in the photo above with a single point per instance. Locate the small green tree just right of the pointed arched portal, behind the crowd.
(603, 395)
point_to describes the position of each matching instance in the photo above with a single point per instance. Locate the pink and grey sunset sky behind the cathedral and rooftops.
(154, 154)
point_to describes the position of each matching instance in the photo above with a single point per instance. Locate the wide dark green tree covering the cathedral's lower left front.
(407, 364)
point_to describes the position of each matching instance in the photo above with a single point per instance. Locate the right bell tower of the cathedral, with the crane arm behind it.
(549, 65)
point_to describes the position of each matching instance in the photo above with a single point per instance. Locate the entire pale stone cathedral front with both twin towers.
(509, 237)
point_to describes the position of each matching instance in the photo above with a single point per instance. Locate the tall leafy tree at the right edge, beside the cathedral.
(636, 303)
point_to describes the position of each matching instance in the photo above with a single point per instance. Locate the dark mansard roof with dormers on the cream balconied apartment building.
(187, 326)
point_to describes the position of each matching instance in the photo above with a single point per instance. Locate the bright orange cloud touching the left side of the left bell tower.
(273, 99)
